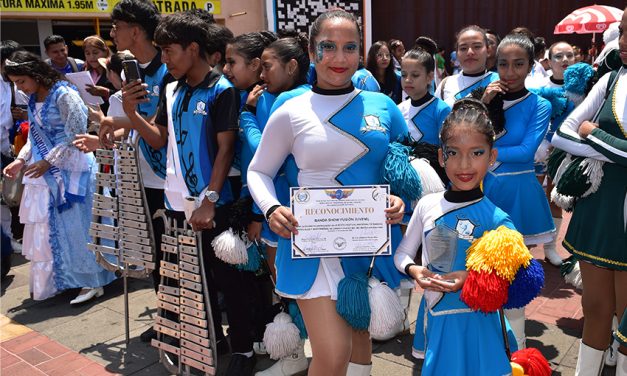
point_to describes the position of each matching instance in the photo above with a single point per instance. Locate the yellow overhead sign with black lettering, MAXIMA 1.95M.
(101, 6)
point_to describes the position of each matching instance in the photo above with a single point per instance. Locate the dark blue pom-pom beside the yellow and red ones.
(526, 285)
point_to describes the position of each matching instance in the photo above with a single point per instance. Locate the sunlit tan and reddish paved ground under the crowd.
(53, 338)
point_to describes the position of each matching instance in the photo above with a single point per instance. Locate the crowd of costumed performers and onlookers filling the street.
(228, 119)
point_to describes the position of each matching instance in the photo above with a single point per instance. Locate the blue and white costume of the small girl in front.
(457, 340)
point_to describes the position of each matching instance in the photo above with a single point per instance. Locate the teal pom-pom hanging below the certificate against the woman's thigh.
(352, 301)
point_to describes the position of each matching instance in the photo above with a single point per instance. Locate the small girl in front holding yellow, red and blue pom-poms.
(461, 340)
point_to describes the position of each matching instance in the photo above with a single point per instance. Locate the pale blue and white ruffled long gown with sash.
(71, 184)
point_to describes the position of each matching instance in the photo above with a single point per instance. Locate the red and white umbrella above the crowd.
(591, 19)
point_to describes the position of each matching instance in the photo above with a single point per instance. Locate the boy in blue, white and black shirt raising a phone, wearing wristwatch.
(198, 120)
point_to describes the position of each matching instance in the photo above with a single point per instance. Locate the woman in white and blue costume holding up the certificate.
(338, 136)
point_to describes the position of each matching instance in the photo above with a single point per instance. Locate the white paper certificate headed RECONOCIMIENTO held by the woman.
(340, 221)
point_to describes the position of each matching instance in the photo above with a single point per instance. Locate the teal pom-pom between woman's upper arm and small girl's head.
(399, 174)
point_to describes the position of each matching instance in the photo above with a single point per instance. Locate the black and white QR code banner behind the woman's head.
(298, 15)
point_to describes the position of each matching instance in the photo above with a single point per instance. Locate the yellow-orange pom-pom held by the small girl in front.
(502, 250)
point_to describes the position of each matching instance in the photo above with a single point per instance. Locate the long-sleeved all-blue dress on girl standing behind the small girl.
(511, 183)
